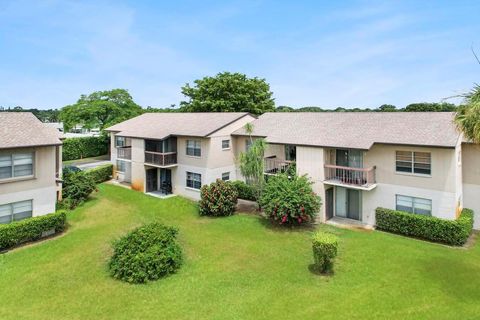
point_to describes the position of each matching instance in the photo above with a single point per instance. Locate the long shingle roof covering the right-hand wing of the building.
(358, 130)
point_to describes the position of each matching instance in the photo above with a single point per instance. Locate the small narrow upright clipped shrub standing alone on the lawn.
(324, 247)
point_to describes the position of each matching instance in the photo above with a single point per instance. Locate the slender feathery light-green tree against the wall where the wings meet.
(252, 165)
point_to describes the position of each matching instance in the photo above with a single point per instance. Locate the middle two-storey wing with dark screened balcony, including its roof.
(164, 153)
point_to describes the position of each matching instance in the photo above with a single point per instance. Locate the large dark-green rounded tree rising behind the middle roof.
(228, 92)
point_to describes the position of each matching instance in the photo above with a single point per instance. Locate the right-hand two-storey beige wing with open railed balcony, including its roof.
(361, 161)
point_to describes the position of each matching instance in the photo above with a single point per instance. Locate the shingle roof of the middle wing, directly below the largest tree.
(162, 125)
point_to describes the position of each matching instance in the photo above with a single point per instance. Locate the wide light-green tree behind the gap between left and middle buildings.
(100, 109)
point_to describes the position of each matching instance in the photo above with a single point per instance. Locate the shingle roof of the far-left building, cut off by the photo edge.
(23, 129)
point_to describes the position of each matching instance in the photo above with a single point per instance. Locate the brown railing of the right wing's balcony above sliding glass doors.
(359, 177)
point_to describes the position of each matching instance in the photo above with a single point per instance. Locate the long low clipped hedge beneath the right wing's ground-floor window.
(452, 232)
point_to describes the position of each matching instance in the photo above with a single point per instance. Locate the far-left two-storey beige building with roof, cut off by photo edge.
(30, 167)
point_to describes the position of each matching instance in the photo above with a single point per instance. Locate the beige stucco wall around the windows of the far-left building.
(42, 188)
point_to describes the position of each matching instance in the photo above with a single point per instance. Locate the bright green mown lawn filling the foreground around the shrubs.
(235, 268)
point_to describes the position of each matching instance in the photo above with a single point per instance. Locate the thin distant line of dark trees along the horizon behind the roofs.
(52, 115)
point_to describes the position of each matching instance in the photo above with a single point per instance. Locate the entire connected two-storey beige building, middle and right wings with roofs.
(415, 162)
